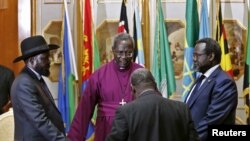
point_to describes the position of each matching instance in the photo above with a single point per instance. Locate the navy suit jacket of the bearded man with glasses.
(214, 103)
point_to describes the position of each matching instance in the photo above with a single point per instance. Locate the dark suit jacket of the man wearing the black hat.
(35, 113)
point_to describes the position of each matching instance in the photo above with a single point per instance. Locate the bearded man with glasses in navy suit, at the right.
(213, 98)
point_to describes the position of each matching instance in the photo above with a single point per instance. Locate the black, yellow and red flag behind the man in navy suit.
(221, 38)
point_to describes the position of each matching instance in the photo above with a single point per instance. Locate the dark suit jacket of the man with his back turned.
(153, 118)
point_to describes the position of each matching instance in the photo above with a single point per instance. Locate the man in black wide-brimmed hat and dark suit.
(36, 115)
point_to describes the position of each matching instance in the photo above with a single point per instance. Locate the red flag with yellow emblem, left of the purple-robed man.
(91, 58)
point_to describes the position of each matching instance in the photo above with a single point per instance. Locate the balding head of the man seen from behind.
(141, 80)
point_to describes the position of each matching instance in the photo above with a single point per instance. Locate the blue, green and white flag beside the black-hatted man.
(66, 94)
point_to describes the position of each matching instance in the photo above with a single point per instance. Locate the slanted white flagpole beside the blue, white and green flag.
(72, 53)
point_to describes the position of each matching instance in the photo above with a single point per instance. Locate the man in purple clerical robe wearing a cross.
(109, 88)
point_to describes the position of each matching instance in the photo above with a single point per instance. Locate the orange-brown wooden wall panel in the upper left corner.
(9, 34)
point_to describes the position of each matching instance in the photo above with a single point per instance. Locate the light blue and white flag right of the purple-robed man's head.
(139, 56)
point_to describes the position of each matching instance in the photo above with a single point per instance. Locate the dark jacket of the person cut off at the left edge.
(6, 79)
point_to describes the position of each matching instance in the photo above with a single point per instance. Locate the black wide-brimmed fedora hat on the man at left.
(34, 45)
